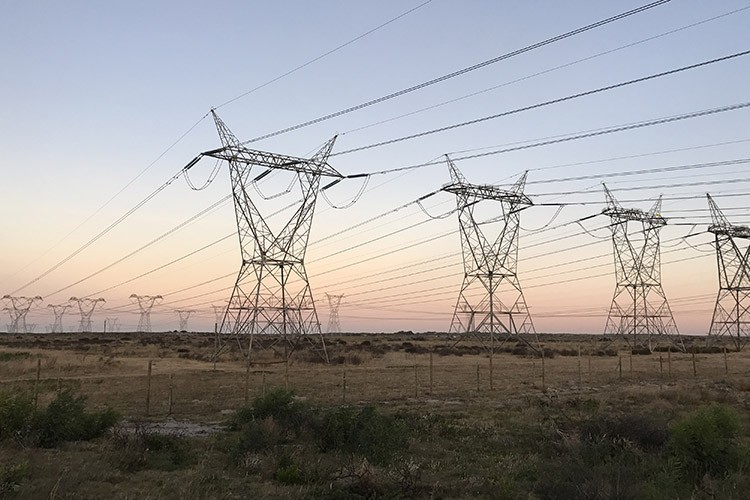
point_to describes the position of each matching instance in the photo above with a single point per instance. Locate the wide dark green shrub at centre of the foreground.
(362, 432)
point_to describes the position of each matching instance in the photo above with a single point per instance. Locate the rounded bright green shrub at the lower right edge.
(707, 441)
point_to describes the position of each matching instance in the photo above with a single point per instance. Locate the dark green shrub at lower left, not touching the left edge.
(66, 419)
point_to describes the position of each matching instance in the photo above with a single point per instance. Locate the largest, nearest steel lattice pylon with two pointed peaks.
(272, 301)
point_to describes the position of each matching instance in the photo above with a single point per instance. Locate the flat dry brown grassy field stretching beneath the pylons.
(421, 375)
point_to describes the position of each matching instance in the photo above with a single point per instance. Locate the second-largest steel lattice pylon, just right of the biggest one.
(491, 302)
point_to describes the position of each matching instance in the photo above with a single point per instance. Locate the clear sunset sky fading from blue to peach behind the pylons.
(105, 102)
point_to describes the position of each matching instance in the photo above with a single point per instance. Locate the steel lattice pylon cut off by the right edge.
(732, 311)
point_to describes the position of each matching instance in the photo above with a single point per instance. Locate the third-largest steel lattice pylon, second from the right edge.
(639, 310)
